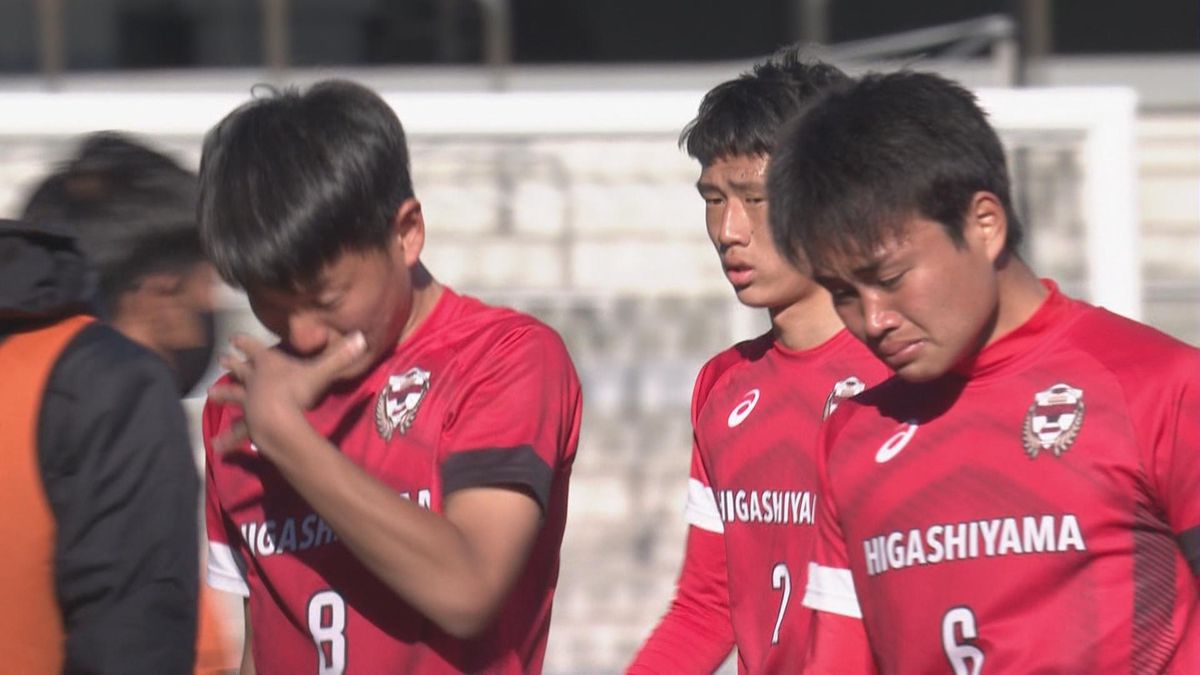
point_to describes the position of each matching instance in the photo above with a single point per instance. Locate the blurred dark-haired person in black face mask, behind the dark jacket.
(134, 211)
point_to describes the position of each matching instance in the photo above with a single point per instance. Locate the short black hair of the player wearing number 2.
(743, 116)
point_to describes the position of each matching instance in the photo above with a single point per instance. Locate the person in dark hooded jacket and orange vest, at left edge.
(99, 488)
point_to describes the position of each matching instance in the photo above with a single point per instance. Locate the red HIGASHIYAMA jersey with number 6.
(1035, 512)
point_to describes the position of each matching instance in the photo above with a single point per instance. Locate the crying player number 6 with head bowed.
(1025, 494)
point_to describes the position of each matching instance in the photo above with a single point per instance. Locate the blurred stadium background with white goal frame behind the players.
(591, 222)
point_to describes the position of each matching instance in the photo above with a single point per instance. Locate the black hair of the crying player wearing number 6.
(871, 154)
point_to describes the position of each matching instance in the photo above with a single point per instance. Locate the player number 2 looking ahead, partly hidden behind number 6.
(758, 405)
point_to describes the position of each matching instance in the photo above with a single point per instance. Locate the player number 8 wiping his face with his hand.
(388, 485)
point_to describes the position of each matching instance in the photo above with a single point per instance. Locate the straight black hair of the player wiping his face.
(291, 181)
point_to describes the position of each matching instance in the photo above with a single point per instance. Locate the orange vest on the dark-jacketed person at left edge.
(32, 638)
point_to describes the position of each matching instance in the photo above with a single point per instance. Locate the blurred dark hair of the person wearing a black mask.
(134, 211)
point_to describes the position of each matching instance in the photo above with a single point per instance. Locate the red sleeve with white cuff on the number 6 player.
(831, 587)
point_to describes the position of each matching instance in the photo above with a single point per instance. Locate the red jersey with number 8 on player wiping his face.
(476, 397)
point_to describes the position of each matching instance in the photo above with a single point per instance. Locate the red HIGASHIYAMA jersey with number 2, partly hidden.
(757, 411)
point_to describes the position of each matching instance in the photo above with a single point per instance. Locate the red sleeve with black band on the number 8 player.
(517, 416)
